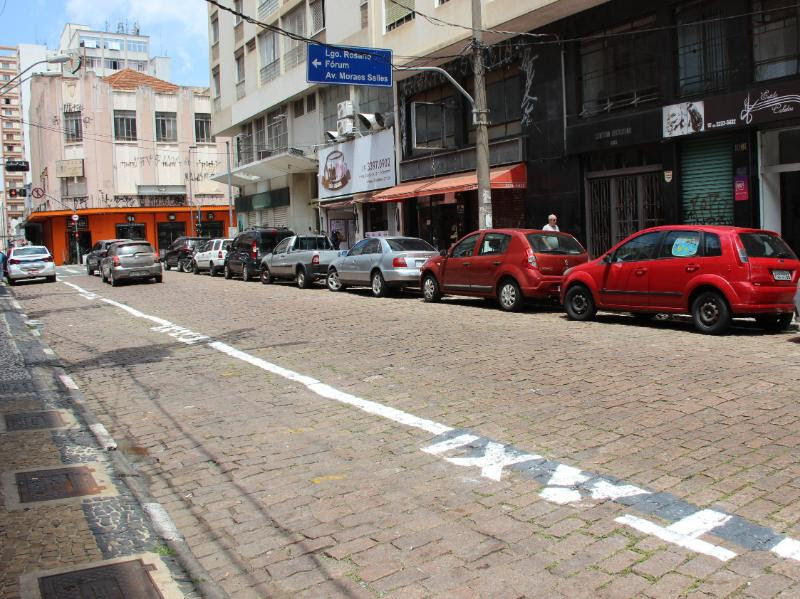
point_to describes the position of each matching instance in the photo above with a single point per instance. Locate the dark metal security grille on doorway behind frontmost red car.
(620, 205)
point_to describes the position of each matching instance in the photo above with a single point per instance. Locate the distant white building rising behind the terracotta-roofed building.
(105, 52)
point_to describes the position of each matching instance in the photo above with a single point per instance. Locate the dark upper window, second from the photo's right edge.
(703, 63)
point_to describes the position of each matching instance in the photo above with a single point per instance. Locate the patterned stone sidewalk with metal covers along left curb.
(75, 517)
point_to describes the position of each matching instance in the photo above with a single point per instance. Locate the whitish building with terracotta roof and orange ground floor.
(130, 154)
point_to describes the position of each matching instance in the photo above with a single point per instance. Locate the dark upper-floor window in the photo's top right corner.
(775, 39)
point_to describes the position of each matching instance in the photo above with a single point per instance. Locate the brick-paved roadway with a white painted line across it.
(279, 491)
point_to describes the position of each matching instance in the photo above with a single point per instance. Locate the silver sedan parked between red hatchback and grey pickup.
(382, 263)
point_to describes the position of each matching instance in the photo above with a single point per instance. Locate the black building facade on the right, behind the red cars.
(631, 114)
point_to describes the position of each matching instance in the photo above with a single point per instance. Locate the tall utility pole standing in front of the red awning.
(481, 119)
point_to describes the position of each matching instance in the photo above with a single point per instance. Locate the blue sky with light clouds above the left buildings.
(177, 28)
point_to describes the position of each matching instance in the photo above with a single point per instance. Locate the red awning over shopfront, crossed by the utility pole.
(504, 177)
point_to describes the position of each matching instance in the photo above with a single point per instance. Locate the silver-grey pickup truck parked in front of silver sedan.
(302, 258)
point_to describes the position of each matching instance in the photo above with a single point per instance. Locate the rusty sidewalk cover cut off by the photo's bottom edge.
(124, 580)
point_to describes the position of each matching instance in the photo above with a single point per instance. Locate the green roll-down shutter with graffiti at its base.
(707, 180)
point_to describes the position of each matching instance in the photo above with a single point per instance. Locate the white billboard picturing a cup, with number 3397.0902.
(356, 166)
